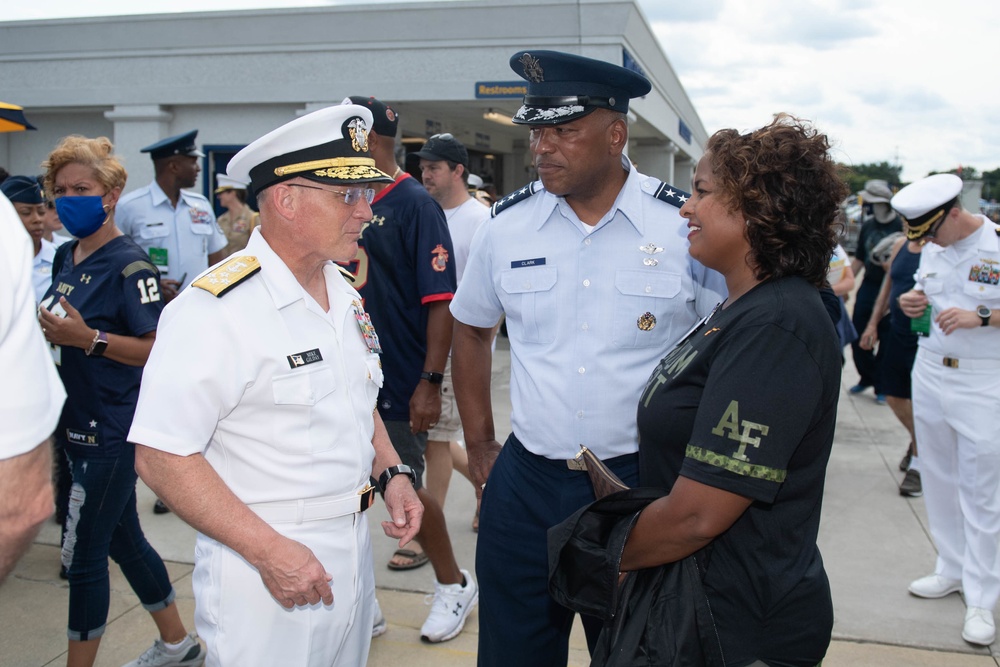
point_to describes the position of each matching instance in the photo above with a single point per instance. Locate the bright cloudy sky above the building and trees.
(903, 81)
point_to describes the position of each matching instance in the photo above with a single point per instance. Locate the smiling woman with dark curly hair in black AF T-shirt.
(737, 420)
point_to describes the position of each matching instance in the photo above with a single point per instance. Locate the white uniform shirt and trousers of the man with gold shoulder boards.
(278, 395)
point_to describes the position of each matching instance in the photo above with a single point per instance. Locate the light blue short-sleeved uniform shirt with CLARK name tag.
(589, 313)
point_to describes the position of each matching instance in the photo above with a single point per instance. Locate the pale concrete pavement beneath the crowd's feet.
(874, 542)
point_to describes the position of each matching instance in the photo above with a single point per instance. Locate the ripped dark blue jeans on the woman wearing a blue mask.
(103, 522)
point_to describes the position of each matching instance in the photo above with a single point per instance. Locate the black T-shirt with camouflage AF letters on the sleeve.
(747, 403)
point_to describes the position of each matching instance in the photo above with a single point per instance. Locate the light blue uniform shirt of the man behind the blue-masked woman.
(179, 240)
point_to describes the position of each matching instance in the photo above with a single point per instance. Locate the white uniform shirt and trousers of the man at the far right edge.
(956, 403)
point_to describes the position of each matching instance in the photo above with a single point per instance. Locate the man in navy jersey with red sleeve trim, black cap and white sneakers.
(405, 273)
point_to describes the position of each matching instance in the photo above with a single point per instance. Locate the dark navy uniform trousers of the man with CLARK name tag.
(519, 622)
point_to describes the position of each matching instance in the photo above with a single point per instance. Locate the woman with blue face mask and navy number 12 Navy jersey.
(100, 316)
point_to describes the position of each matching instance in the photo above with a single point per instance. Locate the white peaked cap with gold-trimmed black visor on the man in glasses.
(327, 146)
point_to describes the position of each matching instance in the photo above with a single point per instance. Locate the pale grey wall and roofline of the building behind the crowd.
(236, 75)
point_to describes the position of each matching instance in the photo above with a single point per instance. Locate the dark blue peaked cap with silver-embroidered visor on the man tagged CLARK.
(563, 87)
